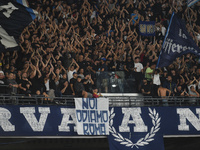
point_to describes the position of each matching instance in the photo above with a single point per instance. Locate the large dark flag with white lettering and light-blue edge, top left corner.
(15, 15)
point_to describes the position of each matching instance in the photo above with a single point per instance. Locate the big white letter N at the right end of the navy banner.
(186, 113)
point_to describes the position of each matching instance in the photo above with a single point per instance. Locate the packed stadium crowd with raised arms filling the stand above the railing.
(70, 41)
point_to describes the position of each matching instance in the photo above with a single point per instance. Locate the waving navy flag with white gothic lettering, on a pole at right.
(176, 43)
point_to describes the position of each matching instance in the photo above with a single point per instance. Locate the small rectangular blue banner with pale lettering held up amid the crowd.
(147, 28)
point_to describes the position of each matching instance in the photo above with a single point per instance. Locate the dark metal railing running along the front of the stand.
(115, 100)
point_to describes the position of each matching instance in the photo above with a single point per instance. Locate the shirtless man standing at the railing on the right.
(163, 93)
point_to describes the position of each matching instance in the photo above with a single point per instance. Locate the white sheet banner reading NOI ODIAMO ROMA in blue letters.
(92, 116)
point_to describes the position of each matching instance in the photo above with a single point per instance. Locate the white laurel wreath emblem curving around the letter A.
(142, 141)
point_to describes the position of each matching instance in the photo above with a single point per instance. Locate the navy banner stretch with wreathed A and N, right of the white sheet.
(143, 127)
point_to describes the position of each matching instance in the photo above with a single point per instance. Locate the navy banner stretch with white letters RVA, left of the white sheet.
(37, 121)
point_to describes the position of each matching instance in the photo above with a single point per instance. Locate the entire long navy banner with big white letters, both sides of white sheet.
(132, 123)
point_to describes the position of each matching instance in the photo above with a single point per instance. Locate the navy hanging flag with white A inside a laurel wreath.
(130, 129)
